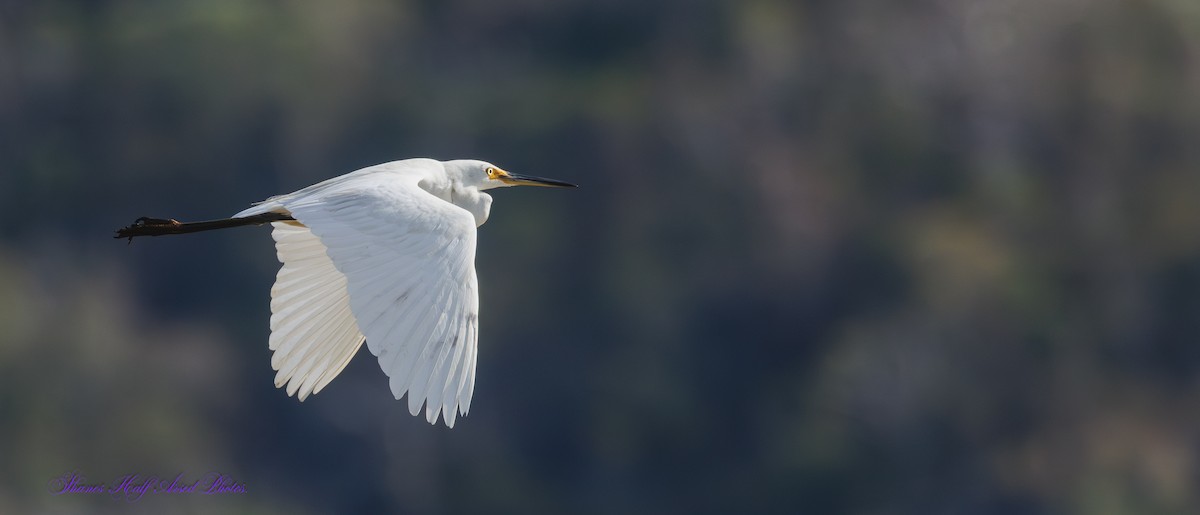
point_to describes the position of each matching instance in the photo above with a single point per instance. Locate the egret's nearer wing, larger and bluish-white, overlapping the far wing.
(409, 261)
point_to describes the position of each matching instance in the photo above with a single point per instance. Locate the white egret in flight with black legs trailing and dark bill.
(383, 255)
